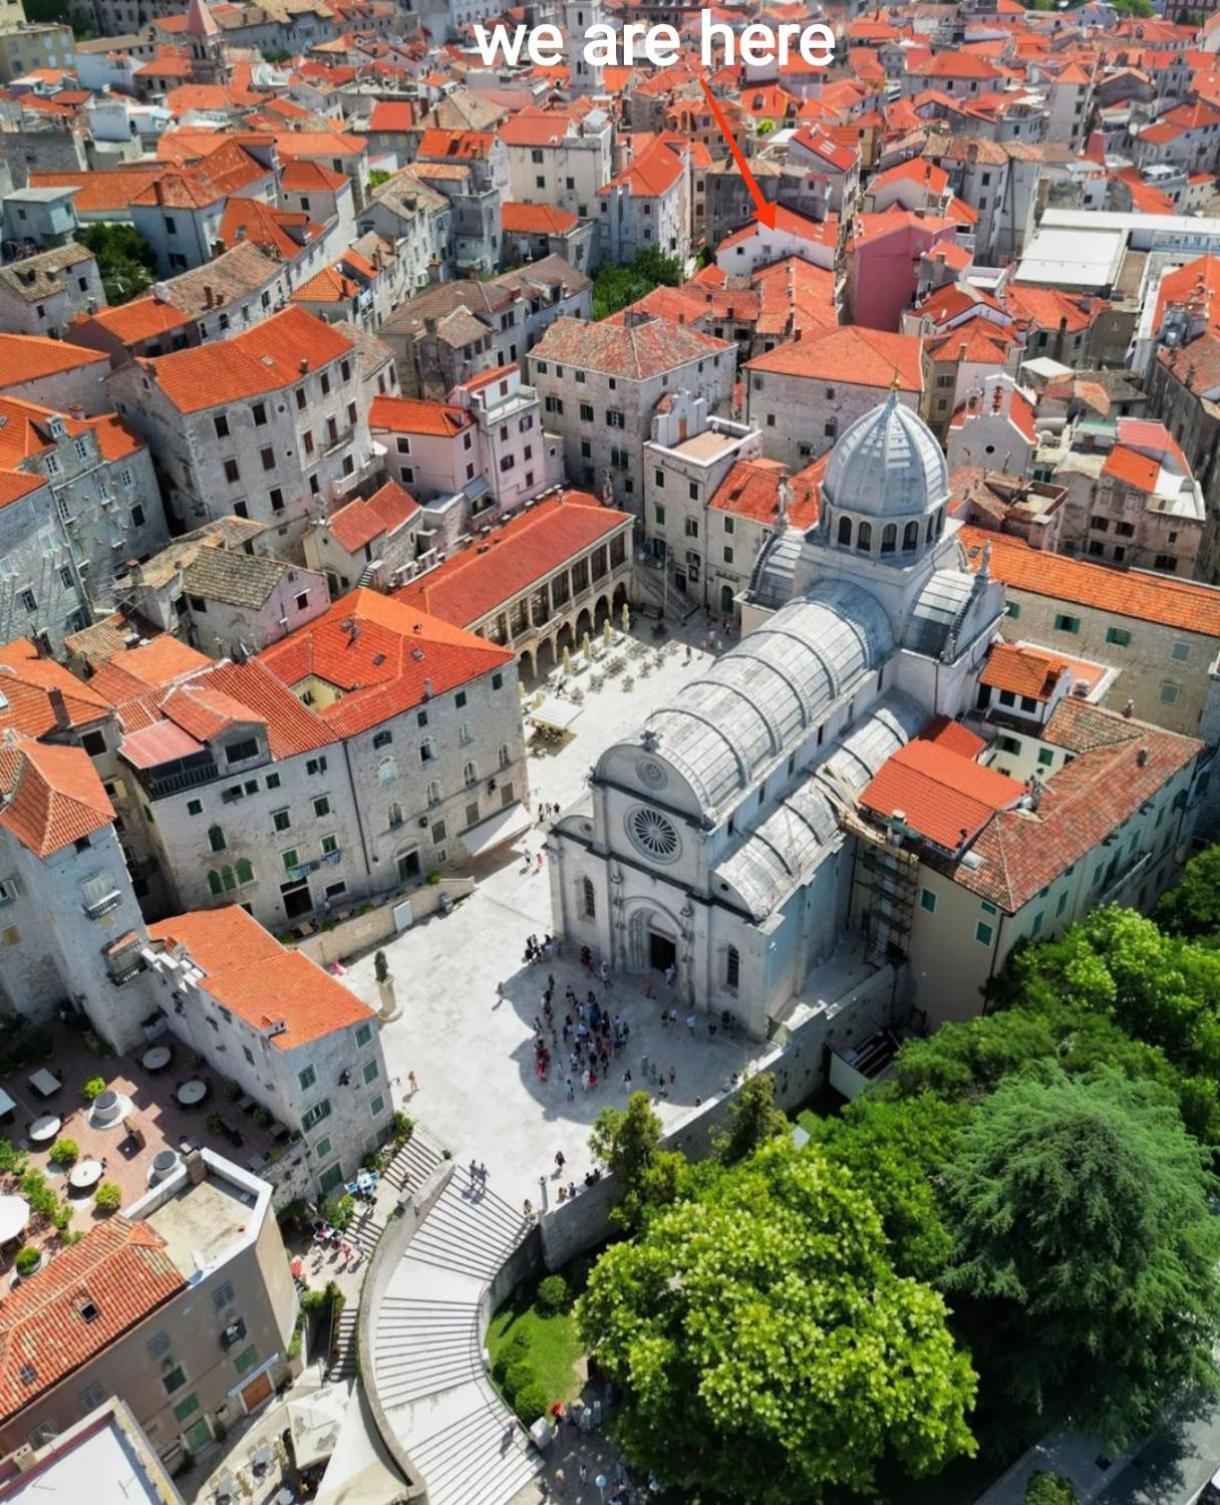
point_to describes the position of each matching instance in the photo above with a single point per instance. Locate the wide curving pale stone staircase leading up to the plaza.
(428, 1352)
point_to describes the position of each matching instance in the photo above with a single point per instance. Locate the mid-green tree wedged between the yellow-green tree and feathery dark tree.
(894, 1149)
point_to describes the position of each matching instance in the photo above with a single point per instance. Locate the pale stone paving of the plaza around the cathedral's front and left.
(472, 1051)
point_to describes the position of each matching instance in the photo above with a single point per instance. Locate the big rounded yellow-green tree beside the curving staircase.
(763, 1345)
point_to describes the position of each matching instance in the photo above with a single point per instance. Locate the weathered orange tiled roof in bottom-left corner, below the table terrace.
(121, 1268)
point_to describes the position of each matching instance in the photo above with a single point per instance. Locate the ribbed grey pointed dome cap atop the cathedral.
(888, 466)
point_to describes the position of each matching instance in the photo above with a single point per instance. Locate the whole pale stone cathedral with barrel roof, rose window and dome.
(720, 839)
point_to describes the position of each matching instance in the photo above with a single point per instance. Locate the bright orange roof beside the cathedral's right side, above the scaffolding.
(942, 795)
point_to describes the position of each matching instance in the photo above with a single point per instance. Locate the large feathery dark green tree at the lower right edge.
(1085, 1251)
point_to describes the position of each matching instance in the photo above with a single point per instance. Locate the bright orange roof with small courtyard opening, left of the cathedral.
(387, 658)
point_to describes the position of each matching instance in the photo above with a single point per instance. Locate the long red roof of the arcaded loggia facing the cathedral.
(475, 583)
